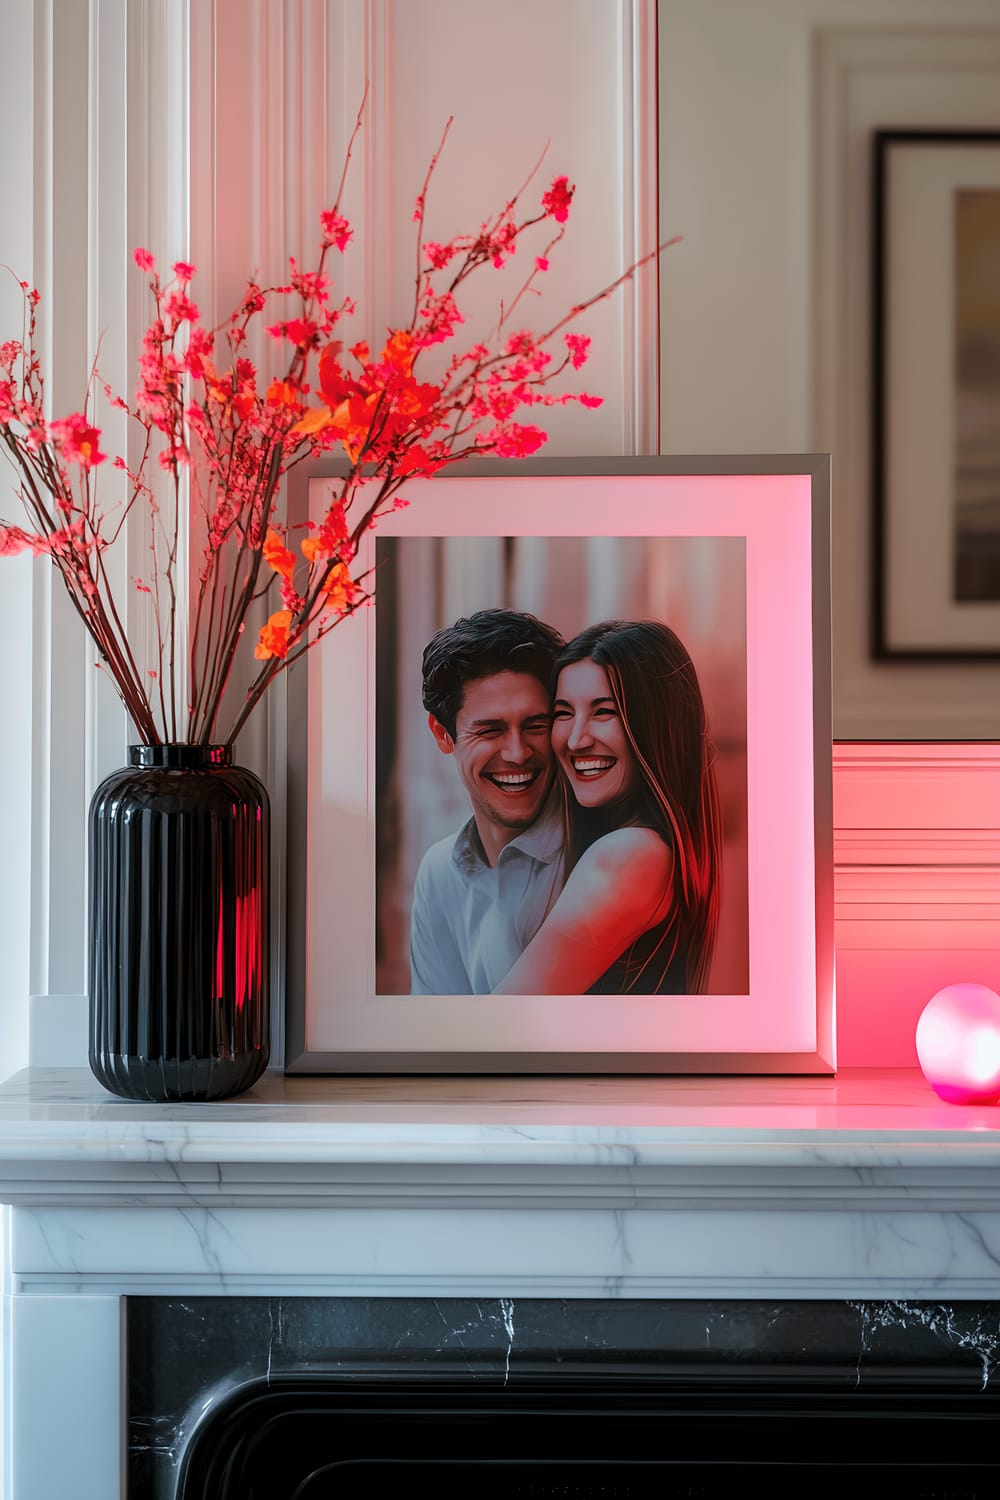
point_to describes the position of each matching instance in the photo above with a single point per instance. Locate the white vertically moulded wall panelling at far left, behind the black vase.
(98, 94)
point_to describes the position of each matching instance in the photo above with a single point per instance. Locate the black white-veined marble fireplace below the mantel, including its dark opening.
(307, 1399)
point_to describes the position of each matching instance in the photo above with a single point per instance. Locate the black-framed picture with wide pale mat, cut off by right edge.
(936, 398)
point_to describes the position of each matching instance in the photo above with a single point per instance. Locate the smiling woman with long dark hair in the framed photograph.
(639, 911)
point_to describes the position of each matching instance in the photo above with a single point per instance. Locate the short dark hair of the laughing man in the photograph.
(481, 646)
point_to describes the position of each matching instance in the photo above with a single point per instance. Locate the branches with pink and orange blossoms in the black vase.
(218, 442)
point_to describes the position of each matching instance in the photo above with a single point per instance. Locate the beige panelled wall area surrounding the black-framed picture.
(767, 110)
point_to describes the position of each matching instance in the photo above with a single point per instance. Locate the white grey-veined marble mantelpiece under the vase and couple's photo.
(858, 1187)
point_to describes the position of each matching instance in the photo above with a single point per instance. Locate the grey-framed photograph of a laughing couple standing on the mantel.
(560, 800)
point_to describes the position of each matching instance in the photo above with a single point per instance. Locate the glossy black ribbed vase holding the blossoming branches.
(179, 926)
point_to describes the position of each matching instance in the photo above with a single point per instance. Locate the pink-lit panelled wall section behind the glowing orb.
(917, 826)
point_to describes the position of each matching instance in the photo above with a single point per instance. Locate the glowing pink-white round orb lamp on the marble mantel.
(959, 1045)
